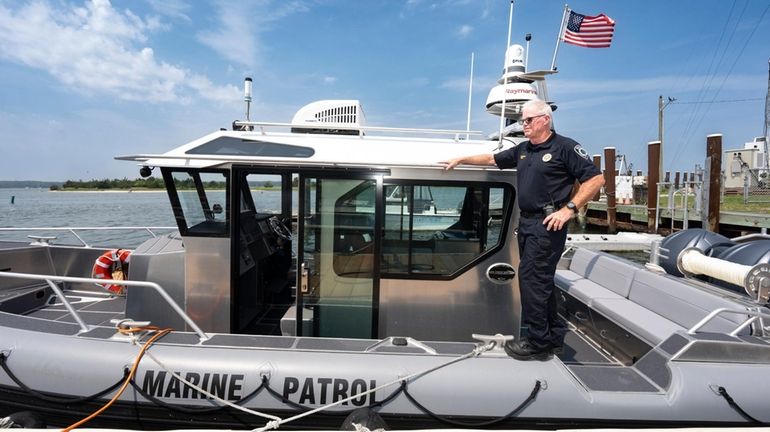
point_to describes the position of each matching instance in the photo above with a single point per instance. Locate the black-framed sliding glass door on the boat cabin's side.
(337, 273)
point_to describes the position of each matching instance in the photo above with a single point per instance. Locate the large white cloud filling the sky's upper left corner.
(97, 49)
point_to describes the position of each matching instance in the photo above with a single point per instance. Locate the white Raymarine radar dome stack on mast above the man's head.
(516, 85)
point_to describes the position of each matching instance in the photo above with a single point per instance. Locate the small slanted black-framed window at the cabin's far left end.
(202, 202)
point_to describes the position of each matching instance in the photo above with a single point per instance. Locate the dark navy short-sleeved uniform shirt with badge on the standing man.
(547, 171)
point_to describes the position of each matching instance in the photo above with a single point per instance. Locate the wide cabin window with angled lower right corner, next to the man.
(436, 230)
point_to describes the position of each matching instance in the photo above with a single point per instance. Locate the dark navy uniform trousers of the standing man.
(540, 251)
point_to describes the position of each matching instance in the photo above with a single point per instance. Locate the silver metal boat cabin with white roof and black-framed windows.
(312, 232)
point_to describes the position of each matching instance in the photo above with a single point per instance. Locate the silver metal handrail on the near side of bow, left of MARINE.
(50, 278)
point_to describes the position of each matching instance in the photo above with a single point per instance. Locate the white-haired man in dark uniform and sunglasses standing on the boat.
(548, 166)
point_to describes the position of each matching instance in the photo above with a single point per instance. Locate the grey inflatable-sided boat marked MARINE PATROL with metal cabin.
(355, 313)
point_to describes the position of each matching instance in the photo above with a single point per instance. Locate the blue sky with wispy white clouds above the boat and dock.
(84, 81)
